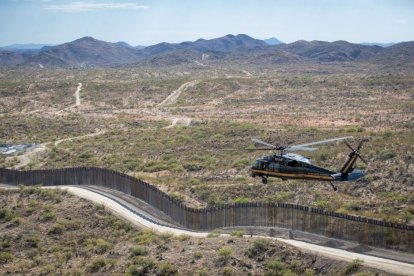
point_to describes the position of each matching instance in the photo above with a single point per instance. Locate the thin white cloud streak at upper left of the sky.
(85, 6)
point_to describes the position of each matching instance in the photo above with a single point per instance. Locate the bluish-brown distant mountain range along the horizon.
(90, 52)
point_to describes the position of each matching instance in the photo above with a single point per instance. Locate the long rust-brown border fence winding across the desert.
(268, 214)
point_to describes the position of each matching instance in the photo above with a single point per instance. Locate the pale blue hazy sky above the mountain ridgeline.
(147, 22)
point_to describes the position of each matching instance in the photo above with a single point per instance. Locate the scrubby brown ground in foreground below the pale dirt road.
(50, 231)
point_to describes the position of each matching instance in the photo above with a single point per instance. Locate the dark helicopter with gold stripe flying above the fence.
(288, 165)
